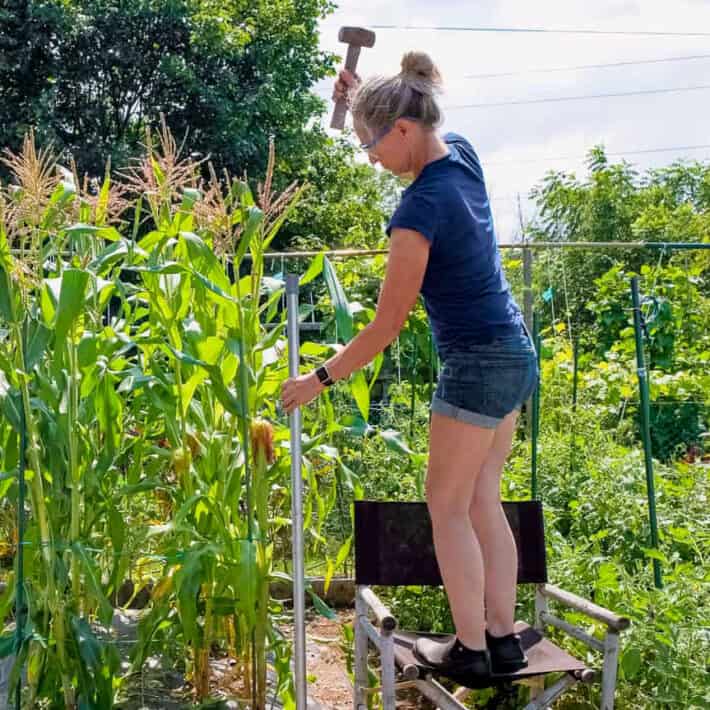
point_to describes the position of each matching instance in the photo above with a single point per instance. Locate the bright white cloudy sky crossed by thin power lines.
(517, 144)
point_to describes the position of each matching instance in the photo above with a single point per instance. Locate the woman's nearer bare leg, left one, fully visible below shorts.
(457, 452)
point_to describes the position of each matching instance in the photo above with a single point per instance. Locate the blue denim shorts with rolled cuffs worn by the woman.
(481, 384)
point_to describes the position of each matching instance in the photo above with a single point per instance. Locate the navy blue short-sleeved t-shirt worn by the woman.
(466, 295)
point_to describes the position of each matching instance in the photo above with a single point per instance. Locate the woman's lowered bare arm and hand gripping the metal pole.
(406, 264)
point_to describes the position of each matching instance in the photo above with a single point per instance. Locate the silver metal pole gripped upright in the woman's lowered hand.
(299, 605)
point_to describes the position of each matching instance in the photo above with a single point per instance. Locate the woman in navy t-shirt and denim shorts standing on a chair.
(443, 245)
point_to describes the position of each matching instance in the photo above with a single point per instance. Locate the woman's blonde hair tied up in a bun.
(380, 101)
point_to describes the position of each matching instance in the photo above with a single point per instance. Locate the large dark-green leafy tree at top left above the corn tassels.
(226, 75)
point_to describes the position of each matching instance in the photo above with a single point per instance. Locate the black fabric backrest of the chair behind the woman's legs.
(394, 546)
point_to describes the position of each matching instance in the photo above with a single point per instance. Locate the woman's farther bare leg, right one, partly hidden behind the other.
(500, 556)
